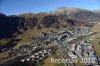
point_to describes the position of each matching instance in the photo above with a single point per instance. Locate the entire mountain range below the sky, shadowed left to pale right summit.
(61, 17)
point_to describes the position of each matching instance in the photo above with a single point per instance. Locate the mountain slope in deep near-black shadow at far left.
(8, 25)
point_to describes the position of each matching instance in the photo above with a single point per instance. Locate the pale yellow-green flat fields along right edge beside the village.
(96, 39)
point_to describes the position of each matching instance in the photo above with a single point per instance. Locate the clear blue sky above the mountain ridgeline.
(13, 7)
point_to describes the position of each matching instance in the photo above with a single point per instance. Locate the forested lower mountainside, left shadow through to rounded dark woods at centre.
(23, 22)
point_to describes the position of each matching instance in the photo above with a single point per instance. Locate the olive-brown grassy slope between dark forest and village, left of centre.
(28, 34)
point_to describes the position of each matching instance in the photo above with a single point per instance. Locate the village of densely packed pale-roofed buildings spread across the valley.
(66, 40)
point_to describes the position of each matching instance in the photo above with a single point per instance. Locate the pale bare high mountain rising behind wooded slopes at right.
(78, 14)
